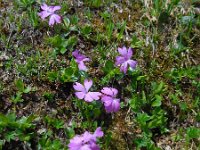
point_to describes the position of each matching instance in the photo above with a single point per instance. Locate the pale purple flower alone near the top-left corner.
(50, 11)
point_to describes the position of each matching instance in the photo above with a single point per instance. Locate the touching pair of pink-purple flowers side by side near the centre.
(107, 95)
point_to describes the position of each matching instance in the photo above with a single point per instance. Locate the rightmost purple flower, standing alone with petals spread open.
(125, 59)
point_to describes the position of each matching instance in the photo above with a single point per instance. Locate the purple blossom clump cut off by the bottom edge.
(86, 141)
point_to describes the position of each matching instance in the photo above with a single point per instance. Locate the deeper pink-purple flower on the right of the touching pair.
(111, 103)
